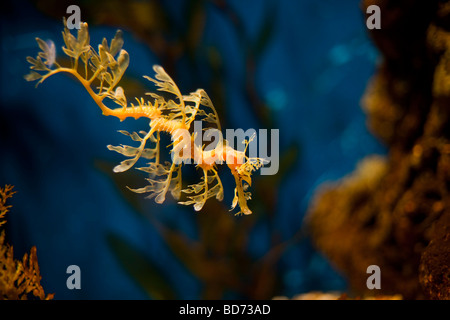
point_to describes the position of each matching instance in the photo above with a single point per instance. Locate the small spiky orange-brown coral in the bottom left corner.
(19, 279)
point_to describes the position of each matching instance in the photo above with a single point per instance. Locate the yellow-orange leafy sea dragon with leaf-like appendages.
(100, 72)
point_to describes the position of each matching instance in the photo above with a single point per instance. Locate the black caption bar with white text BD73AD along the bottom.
(231, 309)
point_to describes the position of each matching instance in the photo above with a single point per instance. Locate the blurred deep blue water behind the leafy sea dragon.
(312, 75)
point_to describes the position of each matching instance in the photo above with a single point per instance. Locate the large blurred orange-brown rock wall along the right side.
(394, 212)
